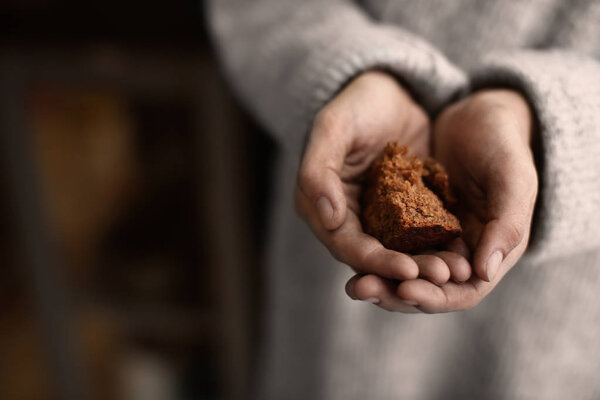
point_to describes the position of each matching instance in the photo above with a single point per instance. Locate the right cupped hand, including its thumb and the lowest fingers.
(484, 142)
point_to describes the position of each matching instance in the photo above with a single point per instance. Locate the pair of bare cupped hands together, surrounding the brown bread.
(483, 141)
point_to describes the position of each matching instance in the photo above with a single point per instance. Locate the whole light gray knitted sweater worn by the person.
(537, 335)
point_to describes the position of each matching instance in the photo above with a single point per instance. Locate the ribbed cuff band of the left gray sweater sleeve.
(426, 73)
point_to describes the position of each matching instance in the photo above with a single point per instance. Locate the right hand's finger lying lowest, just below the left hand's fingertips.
(451, 296)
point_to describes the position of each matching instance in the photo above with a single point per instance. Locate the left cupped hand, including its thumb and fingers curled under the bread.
(347, 135)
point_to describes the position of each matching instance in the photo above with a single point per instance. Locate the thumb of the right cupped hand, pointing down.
(511, 198)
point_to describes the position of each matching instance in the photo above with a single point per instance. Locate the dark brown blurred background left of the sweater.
(133, 192)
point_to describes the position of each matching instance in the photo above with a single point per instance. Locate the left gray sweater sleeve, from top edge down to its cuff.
(287, 58)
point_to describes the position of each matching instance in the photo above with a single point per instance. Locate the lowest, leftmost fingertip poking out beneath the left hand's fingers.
(378, 291)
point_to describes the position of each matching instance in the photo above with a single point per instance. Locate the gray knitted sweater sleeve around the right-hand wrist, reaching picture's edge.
(563, 89)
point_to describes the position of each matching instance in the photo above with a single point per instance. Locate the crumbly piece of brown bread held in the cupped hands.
(400, 204)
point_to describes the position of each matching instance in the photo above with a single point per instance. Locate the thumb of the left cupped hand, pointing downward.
(319, 173)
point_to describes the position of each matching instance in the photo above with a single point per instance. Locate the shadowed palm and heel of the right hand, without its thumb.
(480, 154)
